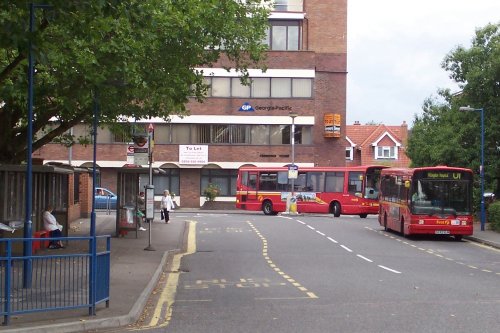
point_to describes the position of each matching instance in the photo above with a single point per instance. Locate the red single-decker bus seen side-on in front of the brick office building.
(335, 190)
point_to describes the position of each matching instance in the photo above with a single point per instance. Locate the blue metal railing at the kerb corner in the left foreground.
(60, 279)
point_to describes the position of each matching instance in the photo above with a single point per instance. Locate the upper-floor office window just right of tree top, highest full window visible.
(283, 35)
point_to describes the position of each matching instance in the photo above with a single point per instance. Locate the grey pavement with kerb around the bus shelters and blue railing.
(136, 271)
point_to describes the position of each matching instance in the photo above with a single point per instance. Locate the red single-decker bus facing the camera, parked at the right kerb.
(431, 200)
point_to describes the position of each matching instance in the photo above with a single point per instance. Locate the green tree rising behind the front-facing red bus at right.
(444, 135)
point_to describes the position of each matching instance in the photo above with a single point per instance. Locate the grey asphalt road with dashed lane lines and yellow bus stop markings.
(256, 273)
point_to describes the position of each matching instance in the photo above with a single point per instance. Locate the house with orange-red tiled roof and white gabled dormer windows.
(377, 144)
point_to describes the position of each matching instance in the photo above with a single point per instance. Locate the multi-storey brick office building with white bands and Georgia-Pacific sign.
(239, 125)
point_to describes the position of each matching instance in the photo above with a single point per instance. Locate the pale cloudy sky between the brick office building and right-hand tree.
(395, 50)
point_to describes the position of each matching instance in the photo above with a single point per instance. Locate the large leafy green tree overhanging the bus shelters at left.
(138, 56)
